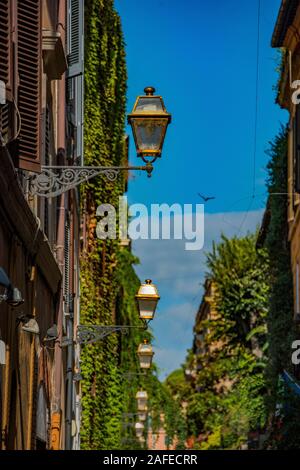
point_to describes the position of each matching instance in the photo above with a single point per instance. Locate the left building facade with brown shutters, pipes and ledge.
(41, 77)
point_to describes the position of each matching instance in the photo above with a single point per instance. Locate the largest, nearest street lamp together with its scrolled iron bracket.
(149, 121)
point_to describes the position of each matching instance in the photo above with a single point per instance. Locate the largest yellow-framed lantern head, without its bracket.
(149, 121)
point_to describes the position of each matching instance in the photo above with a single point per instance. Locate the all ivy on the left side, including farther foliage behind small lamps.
(108, 279)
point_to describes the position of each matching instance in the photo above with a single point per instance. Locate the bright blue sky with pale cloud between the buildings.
(201, 57)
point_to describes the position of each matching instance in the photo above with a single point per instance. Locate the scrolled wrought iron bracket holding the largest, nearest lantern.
(56, 180)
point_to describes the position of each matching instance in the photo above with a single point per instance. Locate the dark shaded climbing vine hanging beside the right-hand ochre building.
(283, 405)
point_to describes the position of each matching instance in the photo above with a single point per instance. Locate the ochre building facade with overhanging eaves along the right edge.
(287, 37)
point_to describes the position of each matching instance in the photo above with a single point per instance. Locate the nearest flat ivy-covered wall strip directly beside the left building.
(105, 100)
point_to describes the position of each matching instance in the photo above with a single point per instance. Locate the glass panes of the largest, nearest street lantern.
(149, 133)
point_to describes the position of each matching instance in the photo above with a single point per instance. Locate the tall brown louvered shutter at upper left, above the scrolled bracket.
(29, 92)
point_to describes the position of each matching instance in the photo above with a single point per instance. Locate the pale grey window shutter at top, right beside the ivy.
(75, 37)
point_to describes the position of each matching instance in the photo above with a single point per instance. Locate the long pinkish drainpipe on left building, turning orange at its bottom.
(61, 209)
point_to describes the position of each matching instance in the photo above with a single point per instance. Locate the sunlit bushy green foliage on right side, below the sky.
(225, 403)
